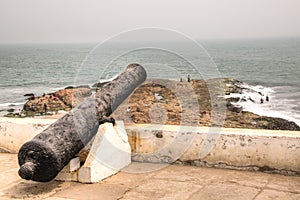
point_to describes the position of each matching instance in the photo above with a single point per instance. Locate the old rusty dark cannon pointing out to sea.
(42, 158)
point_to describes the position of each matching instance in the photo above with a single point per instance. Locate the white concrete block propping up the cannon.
(110, 152)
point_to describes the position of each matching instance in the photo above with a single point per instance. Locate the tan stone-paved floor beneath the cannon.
(152, 181)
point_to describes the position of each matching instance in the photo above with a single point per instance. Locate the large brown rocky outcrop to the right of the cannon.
(175, 103)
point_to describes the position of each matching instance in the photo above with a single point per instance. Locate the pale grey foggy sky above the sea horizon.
(28, 21)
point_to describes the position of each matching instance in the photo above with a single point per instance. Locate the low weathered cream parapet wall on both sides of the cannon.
(251, 149)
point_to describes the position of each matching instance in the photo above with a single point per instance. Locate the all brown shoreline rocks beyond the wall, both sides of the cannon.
(195, 103)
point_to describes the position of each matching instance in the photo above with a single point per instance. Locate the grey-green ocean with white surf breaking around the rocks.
(269, 66)
